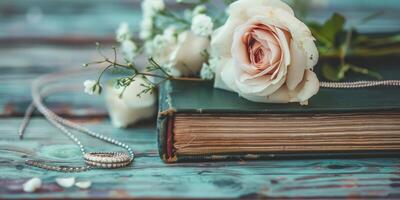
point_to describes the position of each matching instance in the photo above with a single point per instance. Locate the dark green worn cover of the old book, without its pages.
(200, 97)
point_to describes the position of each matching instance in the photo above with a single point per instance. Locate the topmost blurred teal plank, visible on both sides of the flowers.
(26, 20)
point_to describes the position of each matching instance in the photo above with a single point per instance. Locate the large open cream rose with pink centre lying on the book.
(266, 54)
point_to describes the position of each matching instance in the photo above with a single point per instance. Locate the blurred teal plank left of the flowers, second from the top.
(43, 58)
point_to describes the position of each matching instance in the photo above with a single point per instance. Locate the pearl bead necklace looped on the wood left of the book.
(104, 160)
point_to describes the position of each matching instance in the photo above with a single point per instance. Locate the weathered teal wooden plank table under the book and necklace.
(37, 37)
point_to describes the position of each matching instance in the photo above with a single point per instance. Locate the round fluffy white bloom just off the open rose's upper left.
(202, 25)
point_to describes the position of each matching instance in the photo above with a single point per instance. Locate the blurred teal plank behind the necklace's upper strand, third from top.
(15, 92)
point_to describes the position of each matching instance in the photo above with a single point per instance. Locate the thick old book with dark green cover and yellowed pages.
(197, 122)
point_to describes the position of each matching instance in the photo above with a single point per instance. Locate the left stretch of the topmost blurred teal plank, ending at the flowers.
(43, 19)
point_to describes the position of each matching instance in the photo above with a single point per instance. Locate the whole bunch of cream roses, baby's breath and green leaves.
(258, 49)
